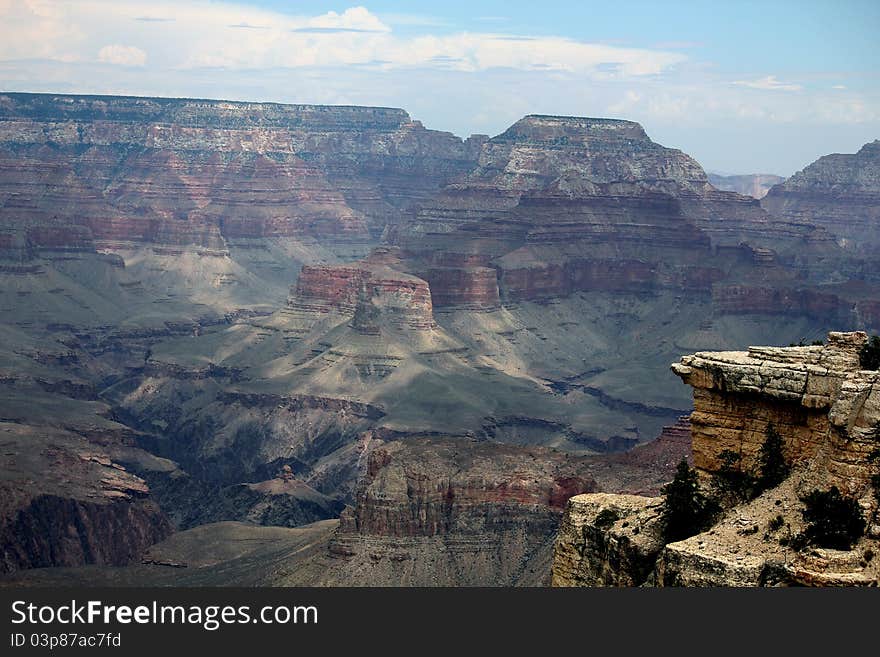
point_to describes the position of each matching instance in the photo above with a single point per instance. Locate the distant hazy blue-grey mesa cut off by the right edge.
(840, 193)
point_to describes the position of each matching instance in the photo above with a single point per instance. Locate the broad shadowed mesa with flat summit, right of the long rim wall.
(559, 205)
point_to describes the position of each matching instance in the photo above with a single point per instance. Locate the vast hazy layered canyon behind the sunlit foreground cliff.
(390, 353)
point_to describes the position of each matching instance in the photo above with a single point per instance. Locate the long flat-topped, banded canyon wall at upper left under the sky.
(200, 172)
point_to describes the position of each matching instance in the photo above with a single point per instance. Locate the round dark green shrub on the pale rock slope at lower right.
(833, 520)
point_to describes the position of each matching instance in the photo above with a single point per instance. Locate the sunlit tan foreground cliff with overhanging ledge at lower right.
(827, 411)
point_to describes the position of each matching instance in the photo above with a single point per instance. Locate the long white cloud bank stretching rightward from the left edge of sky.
(208, 34)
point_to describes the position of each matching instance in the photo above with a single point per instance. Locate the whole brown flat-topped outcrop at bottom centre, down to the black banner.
(432, 511)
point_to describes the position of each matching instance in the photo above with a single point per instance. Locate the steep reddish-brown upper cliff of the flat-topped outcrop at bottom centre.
(456, 486)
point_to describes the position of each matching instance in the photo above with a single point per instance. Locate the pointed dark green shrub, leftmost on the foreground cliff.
(686, 510)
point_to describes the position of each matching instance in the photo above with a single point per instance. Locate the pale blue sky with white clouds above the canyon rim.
(744, 87)
